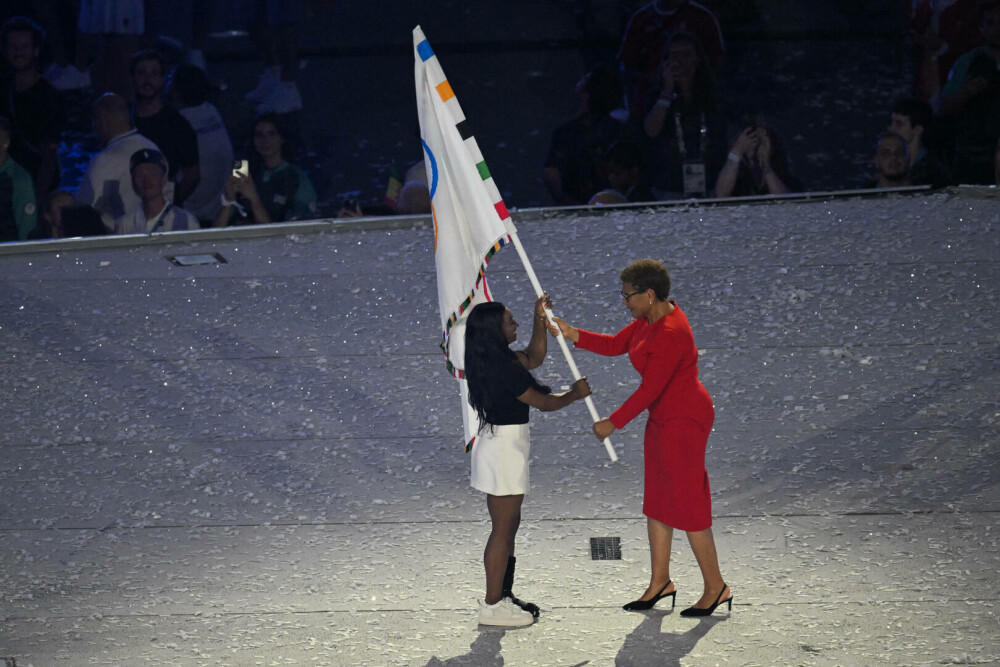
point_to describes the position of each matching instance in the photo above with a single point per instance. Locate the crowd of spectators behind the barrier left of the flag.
(166, 161)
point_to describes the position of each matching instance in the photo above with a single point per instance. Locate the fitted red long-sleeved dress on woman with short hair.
(680, 416)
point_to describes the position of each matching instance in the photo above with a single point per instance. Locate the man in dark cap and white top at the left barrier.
(149, 171)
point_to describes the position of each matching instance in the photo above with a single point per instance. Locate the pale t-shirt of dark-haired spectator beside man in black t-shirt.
(215, 152)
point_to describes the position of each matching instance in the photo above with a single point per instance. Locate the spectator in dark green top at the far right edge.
(972, 97)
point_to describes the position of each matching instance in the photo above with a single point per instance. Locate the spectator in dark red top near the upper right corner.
(940, 31)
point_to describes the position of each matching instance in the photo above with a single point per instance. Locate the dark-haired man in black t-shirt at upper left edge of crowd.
(31, 104)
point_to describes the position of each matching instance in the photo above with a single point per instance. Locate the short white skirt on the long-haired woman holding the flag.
(500, 460)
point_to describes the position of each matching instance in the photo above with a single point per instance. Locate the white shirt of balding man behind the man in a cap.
(107, 183)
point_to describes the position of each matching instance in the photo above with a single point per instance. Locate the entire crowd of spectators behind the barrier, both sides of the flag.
(651, 126)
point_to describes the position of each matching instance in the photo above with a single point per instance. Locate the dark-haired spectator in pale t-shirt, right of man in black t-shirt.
(187, 90)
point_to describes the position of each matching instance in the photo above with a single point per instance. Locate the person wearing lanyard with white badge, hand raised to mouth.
(686, 135)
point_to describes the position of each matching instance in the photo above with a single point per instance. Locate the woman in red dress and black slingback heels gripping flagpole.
(676, 495)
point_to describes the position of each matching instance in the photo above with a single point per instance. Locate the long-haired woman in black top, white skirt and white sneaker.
(501, 389)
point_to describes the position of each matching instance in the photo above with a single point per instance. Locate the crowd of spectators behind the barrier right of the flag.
(661, 97)
